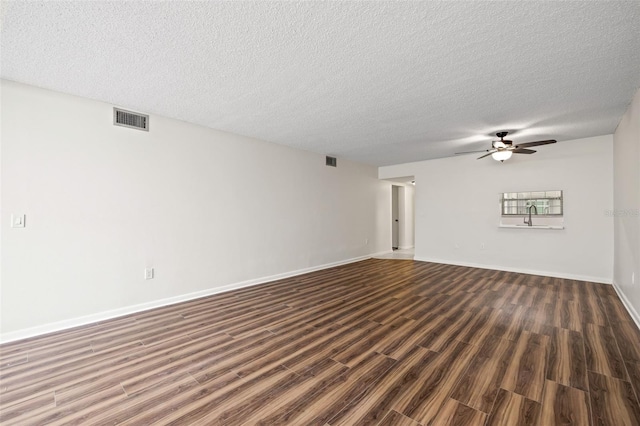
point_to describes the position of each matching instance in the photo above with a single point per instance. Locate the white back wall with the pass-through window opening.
(457, 210)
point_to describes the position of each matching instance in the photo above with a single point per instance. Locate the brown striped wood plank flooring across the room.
(378, 342)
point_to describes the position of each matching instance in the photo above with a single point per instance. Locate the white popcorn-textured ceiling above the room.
(375, 82)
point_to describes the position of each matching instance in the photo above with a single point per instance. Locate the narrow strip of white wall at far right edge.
(626, 217)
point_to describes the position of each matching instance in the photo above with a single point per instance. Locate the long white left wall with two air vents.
(207, 209)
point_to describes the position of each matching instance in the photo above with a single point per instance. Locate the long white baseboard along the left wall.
(106, 315)
